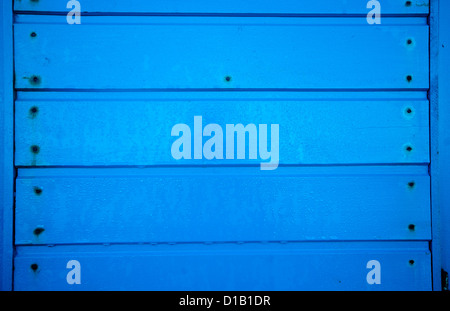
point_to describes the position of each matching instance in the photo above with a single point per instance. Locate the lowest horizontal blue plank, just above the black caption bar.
(292, 266)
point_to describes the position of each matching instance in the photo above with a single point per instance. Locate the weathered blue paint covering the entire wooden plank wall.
(106, 191)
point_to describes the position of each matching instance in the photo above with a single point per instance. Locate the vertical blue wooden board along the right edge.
(441, 138)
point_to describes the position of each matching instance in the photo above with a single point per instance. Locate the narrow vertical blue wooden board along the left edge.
(6, 145)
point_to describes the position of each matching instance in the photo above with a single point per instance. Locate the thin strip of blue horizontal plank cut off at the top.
(227, 6)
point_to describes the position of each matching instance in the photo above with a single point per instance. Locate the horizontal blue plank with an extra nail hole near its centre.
(220, 53)
